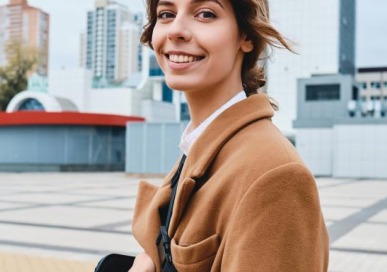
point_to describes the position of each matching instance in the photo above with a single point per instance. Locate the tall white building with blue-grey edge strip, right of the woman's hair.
(323, 32)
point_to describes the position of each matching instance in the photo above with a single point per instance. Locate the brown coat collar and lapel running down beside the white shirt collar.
(210, 142)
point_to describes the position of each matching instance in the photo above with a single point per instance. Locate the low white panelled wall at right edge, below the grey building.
(345, 150)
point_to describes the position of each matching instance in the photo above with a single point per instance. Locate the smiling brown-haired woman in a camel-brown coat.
(244, 200)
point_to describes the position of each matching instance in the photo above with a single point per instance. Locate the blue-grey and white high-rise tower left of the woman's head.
(110, 47)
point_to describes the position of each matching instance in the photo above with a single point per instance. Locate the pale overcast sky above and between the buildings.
(68, 19)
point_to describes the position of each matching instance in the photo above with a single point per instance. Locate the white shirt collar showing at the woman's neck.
(188, 139)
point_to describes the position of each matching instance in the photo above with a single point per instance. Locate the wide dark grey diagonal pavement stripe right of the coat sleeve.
(342, 227)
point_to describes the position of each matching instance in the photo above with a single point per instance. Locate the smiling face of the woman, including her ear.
(198, 45)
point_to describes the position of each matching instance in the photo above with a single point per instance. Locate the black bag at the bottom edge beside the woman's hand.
(115, 263)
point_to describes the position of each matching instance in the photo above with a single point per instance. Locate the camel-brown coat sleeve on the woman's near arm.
(278, 225)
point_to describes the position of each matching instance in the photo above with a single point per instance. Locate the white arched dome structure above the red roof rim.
(34, 101)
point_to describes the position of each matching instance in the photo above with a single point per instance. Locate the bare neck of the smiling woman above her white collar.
(202, 106)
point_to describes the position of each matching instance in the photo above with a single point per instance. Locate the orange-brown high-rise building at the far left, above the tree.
(21, 23)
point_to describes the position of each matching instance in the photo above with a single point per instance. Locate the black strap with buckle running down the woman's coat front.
(167, 265)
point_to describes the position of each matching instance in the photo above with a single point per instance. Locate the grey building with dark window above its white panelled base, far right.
(336, 135)
